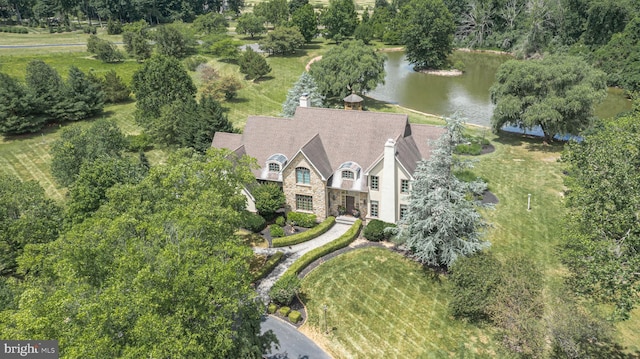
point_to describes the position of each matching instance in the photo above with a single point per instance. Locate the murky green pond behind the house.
(467, 94)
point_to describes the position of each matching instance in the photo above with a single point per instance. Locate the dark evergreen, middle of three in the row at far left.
(45, 84)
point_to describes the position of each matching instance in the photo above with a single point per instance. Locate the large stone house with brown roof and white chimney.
(332, 161)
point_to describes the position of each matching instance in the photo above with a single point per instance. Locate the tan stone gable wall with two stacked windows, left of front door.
(316, 187)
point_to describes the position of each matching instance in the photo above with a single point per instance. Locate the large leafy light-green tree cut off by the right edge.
(602, 237)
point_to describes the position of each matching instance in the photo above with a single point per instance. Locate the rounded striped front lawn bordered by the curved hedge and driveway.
(381, 305)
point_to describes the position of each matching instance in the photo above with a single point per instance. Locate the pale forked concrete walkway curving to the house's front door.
(293, 253)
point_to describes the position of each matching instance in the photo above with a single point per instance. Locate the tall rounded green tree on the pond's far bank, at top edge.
(427, 29)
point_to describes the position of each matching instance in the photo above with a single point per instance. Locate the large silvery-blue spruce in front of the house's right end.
(442, 223)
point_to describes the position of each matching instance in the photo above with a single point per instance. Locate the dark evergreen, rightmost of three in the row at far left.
(82, 98)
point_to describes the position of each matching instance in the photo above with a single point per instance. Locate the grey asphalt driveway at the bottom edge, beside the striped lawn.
(293, 344)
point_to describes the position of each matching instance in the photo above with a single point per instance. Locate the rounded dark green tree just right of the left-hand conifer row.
(161, 81)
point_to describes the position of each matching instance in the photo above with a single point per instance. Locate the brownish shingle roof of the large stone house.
(330, 137)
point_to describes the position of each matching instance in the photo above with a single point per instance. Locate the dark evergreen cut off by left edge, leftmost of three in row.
(16, 108)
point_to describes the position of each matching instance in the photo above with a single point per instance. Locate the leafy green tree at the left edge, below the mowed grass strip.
(26, 217)
